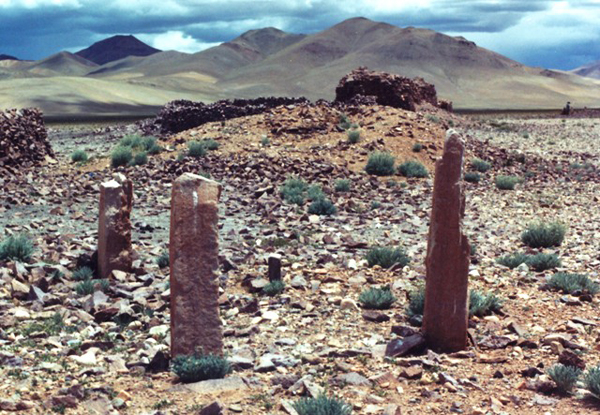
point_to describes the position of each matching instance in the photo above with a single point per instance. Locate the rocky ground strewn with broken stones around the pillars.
(65, 353)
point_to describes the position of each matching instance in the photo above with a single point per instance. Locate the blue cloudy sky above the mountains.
(548, 33)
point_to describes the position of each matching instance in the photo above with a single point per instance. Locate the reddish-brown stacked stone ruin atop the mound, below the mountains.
(365, 86)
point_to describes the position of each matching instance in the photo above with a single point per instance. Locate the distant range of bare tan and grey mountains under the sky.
(133, 77)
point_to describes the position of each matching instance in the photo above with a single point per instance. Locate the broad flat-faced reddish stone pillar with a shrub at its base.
(193, 254)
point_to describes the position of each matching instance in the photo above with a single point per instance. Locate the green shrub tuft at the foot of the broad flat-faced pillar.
(200, 367)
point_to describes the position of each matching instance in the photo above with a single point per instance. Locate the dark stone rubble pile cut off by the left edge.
(23, 138)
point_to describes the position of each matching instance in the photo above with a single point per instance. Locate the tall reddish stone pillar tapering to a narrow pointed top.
(445, 318)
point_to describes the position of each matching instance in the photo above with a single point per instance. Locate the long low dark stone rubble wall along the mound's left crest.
(181, 115)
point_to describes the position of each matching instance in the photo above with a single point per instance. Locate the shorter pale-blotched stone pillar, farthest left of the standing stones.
(114, 226)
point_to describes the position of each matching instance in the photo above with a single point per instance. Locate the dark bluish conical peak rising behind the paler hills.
(115, 48)
